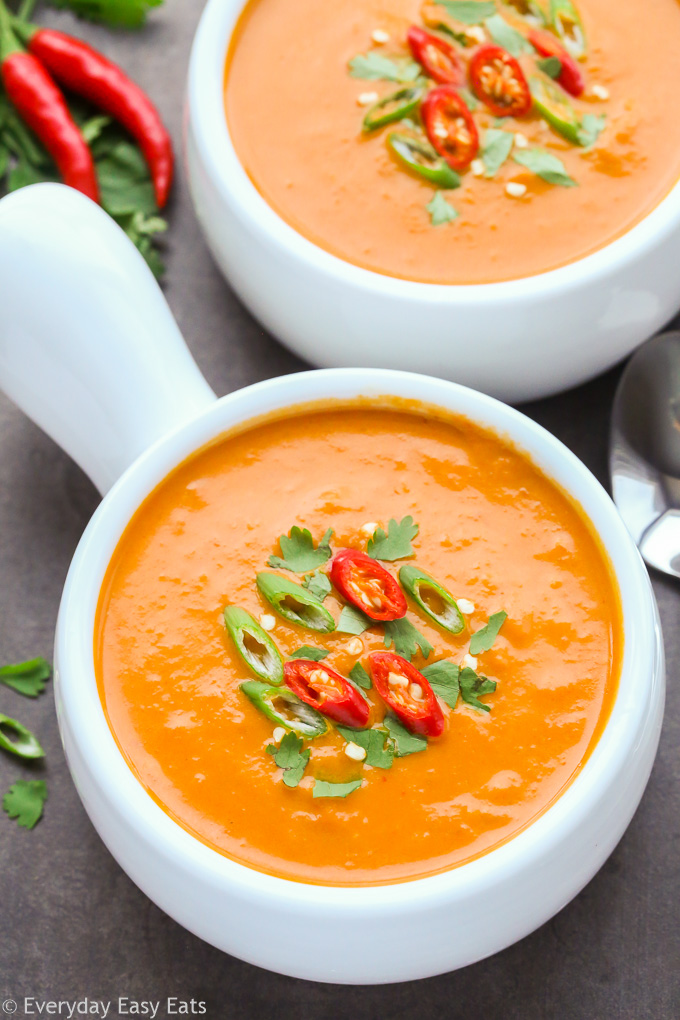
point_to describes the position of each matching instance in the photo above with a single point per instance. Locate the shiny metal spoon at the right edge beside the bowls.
(645, 451)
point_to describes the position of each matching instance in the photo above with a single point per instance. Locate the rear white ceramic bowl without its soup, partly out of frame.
(517, 341)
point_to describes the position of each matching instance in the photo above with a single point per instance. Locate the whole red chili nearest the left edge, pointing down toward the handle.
(42, 107)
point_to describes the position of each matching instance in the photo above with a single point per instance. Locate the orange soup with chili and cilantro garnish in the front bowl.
(482, 720)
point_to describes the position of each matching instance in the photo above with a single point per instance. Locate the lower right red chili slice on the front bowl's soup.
(407, 693)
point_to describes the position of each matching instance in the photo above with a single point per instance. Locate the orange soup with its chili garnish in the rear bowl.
(457, 142)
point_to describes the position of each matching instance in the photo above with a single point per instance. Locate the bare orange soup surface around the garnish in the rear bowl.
(294, 116)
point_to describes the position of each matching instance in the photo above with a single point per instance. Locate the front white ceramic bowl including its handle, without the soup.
(99, 363)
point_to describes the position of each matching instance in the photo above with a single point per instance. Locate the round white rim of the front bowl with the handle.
(80, 702)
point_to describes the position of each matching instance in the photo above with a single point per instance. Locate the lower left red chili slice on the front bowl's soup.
(328, 692)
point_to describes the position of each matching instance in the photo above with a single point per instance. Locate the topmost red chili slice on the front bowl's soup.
(367, 584)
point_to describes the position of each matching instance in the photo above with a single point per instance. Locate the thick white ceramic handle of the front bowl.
(89, 348)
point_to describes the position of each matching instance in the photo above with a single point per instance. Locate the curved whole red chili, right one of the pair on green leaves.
(92, 76)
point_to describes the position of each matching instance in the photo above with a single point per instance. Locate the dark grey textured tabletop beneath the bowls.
(73, 924)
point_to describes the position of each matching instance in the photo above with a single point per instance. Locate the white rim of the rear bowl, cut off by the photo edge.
(211, 133)
